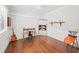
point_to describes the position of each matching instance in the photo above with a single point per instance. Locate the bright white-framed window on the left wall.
(3, 19)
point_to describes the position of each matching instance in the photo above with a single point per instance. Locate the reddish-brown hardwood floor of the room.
(39, 44)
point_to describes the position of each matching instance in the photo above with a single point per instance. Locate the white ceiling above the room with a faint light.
(32, 9)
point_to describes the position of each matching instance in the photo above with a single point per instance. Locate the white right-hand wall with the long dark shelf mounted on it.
(69, 14)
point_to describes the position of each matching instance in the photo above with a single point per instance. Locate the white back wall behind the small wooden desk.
(23, 21)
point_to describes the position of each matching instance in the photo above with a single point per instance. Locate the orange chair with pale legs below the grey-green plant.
(70, 41)
